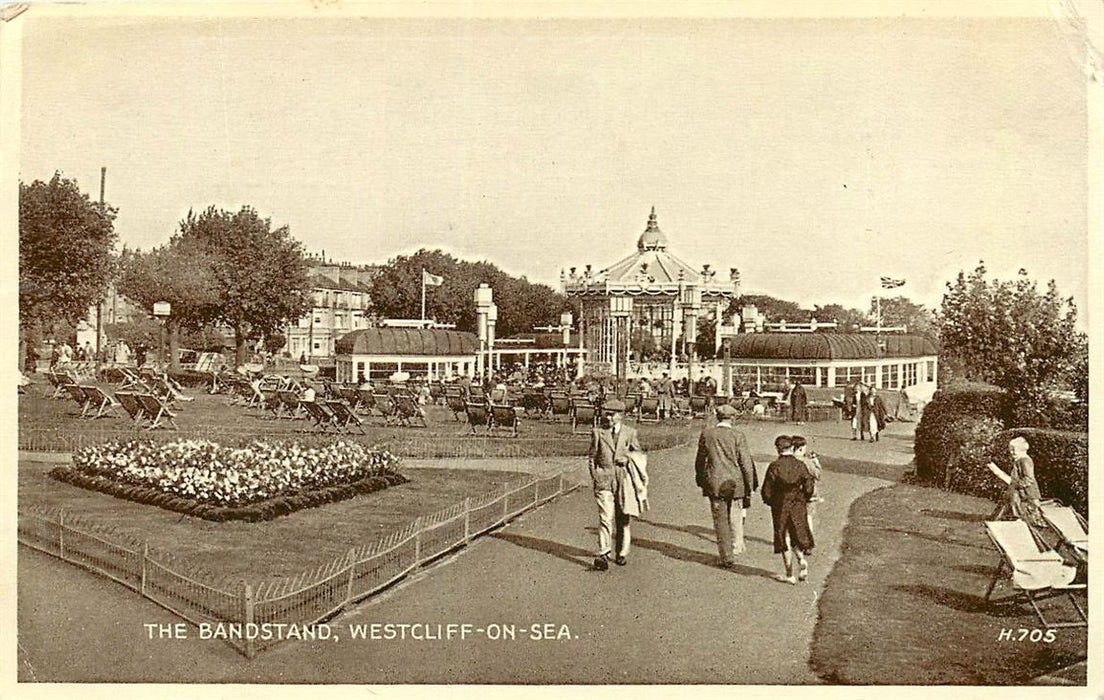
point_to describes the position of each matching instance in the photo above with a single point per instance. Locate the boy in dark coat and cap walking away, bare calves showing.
(787, 487)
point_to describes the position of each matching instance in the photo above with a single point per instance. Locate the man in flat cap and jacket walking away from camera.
(726, 473)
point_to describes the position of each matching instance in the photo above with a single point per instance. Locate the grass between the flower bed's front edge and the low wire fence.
(258, 551)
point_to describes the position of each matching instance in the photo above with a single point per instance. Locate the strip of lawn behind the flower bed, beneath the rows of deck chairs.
(56, 426)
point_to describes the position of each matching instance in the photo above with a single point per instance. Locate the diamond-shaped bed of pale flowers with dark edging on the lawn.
(259, 482)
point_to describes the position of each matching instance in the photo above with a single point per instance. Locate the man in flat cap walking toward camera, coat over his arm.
(618, 491)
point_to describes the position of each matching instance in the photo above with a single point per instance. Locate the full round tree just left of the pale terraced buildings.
(259, 273)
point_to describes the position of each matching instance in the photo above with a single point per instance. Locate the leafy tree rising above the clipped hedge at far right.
(1010, 335)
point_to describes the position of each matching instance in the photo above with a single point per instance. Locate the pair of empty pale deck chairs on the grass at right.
(1043, 563)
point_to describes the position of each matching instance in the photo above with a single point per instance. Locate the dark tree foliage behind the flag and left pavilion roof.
(397, 293)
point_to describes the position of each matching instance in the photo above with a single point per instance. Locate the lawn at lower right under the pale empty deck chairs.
(905, 604)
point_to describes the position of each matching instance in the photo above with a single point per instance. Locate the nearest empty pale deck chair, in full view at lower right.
(1036, 570)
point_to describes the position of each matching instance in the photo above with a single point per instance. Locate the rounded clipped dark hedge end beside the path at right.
(939, 441)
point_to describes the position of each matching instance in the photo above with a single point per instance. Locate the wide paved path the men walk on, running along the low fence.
(668, 618)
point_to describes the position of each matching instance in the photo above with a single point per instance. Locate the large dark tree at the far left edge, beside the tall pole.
(66, 262)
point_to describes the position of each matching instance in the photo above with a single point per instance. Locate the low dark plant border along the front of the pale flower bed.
(258, 512)
